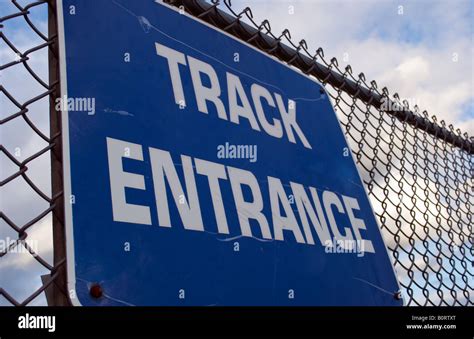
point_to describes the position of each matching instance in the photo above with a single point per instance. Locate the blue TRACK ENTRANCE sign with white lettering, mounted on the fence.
(200, 171)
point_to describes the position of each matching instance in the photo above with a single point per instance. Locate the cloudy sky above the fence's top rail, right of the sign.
(411, 54)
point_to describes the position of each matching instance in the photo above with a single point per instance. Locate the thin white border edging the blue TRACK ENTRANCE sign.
(69, 230)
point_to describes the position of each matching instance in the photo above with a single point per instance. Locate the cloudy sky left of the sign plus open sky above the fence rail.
(422, 49)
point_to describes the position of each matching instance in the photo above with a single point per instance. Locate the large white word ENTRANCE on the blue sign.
(316, 211)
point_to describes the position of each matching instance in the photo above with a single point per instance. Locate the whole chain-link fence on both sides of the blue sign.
(417, 170)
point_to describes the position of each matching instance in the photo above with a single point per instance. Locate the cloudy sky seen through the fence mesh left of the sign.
(19, 271)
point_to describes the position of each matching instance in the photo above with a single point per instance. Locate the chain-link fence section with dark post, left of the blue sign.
(31, 202)
